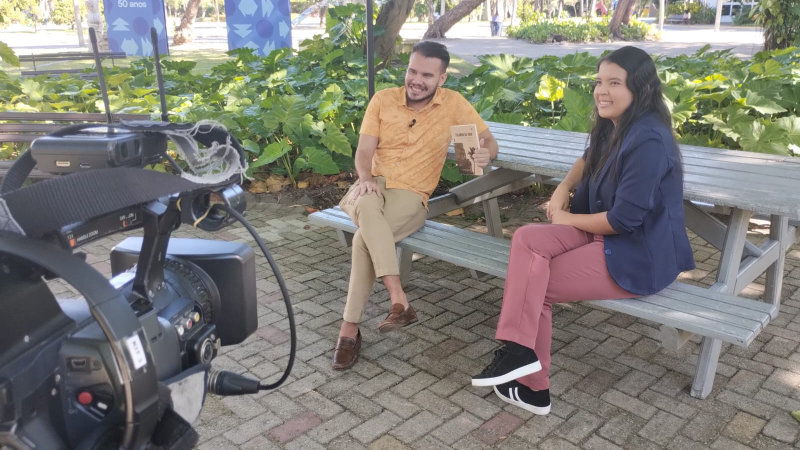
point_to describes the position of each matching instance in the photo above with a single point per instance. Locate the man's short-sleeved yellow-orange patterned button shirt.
(412, 145)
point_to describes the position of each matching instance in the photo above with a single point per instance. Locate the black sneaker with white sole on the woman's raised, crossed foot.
(510, 362)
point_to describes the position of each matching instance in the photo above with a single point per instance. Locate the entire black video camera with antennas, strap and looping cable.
(127, 365)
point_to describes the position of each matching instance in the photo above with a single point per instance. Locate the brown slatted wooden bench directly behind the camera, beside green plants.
(26, 126)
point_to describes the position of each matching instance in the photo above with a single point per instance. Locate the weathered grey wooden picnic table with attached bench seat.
(743, 183)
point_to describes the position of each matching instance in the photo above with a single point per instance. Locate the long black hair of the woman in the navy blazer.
(605, 139)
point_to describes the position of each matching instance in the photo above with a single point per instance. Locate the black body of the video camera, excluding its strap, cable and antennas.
(69, 380)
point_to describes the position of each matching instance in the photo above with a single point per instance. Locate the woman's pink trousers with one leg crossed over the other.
(550, 264)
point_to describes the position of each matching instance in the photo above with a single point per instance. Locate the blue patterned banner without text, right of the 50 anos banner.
(263, 25)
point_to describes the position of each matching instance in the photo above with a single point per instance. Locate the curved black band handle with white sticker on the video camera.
(119, 324)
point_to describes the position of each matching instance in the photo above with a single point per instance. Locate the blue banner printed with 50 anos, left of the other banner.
(128, 24)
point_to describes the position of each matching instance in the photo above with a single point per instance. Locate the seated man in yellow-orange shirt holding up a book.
(401, 151)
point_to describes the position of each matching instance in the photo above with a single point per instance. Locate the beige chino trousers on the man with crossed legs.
(381, 223)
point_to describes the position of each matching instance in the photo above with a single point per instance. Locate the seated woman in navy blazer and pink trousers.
(623, 237)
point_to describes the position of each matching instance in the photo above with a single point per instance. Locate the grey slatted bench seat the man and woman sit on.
(690, 309)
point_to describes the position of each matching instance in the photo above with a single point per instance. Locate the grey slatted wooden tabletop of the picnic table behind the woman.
(767, 184)
